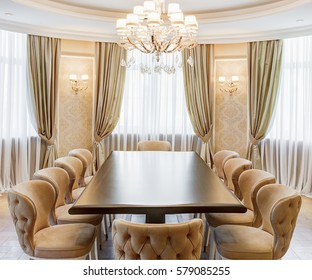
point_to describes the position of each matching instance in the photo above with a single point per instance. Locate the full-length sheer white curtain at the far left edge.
(19, 145)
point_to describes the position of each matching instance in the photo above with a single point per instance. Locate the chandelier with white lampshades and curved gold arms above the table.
(151, 31)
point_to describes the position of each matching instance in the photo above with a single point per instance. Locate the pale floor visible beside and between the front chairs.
(300, 248)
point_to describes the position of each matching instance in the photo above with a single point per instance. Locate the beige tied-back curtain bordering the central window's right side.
(199, 94)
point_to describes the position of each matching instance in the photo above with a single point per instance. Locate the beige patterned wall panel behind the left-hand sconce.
(75, 110)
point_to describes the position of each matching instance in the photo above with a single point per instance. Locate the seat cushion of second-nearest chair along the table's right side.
(218, 219)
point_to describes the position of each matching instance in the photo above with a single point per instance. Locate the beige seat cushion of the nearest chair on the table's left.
(64, 241)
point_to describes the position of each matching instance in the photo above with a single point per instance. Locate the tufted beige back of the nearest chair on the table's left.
(30, 204)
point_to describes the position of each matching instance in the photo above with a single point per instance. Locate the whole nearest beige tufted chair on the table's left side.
(30, 204)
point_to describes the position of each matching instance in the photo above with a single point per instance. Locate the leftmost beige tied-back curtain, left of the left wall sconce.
(44, 55)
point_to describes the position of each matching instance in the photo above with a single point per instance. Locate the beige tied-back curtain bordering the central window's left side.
(110, 79)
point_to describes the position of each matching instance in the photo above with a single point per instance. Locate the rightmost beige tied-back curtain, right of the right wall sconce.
(264, 67)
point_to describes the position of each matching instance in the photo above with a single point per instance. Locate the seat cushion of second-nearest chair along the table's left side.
(63, 217)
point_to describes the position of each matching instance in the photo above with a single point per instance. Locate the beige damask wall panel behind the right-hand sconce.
(231, 111)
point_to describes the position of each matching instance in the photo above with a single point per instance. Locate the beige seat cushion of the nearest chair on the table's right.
(243, 243)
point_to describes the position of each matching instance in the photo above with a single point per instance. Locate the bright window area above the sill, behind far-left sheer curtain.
(14, 120)
